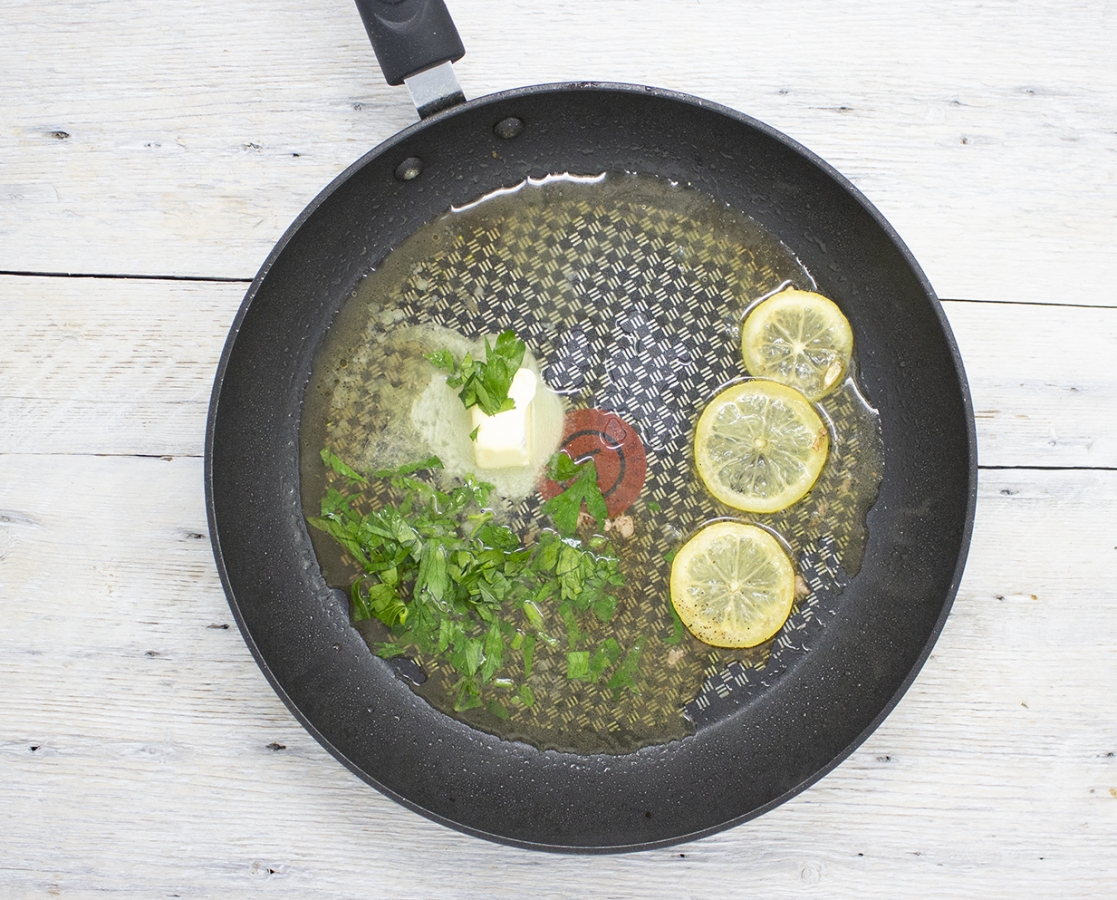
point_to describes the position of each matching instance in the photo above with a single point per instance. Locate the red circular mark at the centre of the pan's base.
(616, 451)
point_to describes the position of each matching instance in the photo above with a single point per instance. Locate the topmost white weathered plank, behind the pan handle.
(183, 139)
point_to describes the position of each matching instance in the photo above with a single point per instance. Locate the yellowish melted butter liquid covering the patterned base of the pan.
(631, 293)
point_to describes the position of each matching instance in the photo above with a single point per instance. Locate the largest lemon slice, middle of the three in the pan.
(760, 446)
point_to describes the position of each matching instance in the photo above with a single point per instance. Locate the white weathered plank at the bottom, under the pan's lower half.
(163, 762)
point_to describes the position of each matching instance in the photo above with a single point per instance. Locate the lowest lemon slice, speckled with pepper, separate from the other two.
(732, 585)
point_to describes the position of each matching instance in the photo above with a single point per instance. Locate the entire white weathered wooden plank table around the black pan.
(151, 154)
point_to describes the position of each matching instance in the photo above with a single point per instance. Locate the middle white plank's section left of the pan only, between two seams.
(96, 366)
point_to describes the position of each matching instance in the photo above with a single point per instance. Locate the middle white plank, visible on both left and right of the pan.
(126, 367)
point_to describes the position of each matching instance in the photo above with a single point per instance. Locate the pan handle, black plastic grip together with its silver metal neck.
(416, 44)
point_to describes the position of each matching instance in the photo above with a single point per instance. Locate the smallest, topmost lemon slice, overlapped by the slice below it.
(798, 339)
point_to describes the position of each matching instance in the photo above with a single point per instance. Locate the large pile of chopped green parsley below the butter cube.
(447, 581)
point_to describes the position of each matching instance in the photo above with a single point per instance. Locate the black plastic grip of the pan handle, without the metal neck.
(409, 36)
